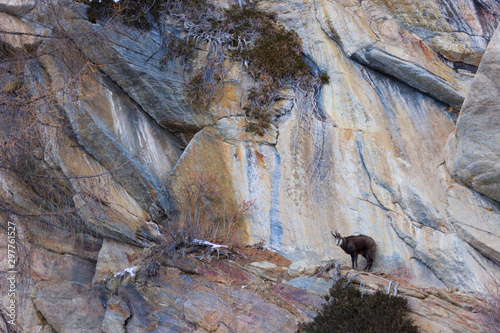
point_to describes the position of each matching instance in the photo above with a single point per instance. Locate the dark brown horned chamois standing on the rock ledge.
(354, 245)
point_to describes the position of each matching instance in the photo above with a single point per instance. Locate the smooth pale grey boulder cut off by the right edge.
(473, 156)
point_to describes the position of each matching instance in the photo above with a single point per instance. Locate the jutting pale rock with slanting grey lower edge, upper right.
(397, 44)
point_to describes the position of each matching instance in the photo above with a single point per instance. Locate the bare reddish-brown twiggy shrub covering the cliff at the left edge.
(33, 122)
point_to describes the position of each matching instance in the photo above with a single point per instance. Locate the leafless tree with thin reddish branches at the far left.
(30, 117)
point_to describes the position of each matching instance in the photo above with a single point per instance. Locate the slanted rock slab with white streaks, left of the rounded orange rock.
(123, 138)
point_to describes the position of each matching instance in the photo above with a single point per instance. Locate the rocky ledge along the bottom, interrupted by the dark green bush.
(213, 296)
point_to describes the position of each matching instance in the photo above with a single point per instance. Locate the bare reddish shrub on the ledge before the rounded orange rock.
(205, 228)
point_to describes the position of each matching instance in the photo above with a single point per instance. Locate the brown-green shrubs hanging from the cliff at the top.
(270, 53)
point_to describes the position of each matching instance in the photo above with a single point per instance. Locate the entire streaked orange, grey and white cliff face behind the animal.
(384, 155)
